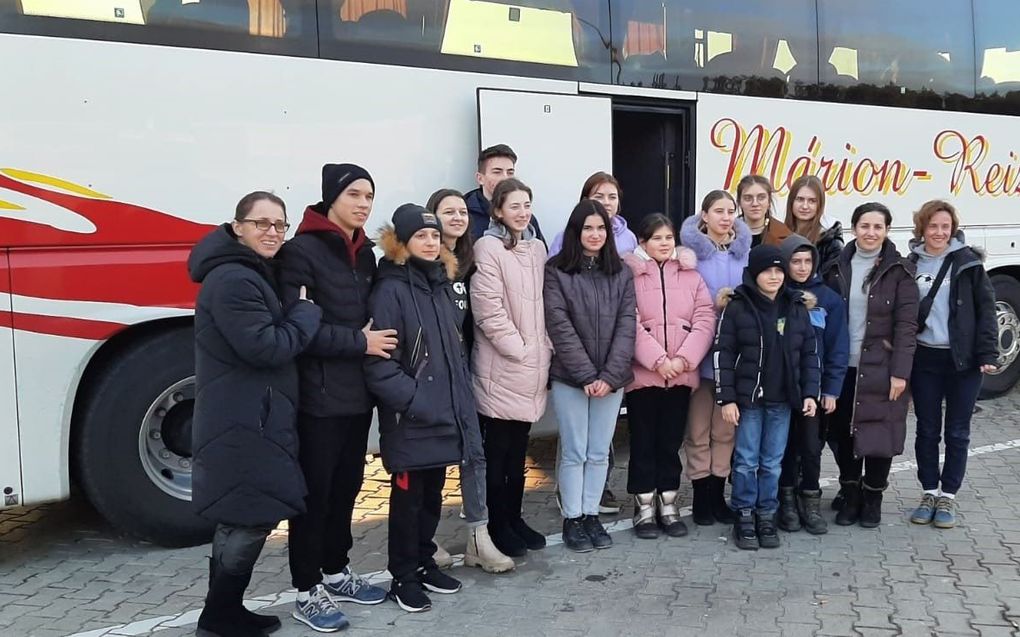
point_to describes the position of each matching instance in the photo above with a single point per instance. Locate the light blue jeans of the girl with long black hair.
(587, 428)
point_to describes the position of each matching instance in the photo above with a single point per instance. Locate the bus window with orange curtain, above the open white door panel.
(555, 38)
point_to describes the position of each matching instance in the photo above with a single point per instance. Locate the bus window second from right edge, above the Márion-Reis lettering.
(887, 46)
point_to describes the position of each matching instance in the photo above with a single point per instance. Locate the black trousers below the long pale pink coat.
(506, 453)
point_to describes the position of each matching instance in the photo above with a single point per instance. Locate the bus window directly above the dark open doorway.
(726, 46)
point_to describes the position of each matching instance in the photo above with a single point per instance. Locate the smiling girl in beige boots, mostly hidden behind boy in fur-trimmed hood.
(449, 206)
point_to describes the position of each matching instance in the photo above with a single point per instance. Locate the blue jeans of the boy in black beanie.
(761, 442)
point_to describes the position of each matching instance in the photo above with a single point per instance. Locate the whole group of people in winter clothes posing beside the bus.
(743, 342)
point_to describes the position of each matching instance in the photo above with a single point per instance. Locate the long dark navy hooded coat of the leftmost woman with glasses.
(244, 442)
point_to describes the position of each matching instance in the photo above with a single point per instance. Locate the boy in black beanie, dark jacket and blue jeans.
(767, 364)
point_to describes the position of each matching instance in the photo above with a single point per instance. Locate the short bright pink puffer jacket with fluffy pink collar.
(676, 317)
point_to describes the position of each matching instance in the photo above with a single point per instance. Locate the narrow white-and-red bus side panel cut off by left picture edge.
(11, 464)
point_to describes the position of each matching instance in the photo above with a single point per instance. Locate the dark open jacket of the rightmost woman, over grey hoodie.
(974, 328)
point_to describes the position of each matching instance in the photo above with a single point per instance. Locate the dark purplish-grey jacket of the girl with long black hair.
(591, 318)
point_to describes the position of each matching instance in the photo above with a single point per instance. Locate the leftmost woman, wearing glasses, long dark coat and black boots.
(246, 472)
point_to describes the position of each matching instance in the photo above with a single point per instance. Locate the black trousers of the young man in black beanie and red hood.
(333, 459)
